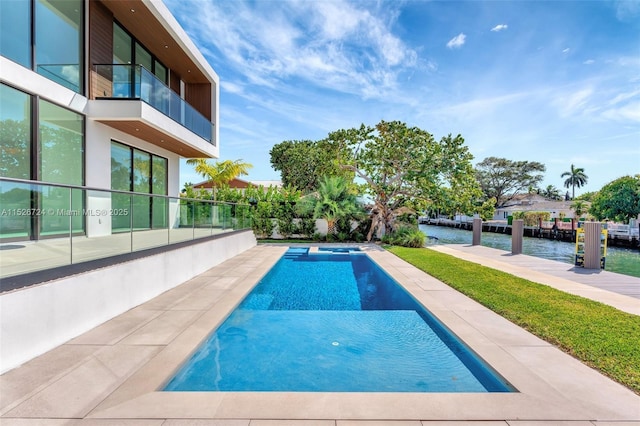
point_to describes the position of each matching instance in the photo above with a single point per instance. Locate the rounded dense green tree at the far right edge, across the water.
(618, 200)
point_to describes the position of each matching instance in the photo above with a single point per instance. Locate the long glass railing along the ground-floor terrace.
(43, 225)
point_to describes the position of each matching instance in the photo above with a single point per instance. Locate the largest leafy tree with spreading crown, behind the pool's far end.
(405, 166)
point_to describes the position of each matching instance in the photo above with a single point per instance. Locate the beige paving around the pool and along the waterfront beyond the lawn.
(111, 374)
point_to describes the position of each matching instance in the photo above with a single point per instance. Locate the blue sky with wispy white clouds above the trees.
(555, 82)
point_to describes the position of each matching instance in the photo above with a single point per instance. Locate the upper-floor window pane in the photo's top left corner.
(15, 31)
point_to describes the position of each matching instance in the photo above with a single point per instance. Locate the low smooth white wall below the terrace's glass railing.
(39, 318)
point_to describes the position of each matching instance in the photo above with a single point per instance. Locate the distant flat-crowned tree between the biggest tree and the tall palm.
(503, 179)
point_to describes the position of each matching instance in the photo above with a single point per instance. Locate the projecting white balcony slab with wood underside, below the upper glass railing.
(142, 121)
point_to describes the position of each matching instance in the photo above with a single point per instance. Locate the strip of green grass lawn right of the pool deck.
(600, 336)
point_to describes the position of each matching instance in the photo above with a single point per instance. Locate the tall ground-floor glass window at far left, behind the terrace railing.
(55, 154)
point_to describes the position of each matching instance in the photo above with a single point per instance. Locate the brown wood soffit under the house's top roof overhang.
(152, 34)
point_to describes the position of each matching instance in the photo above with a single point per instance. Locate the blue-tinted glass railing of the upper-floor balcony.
(136, 82)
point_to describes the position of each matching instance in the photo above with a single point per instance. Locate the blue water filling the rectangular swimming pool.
(333, 322)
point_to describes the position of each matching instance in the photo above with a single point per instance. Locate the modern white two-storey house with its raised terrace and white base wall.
(99, 101)
